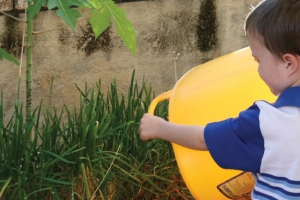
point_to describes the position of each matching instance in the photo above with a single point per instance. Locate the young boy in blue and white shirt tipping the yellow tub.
(265, 138)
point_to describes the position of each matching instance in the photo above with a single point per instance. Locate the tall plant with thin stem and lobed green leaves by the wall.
(101, 13)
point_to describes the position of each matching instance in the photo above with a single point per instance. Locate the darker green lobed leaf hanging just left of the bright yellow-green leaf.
(64, 11)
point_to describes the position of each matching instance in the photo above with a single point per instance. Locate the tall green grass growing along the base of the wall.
(92, 152)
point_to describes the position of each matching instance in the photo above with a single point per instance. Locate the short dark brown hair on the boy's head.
(276, 23)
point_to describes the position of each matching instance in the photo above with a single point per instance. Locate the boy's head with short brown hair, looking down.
(273, 33)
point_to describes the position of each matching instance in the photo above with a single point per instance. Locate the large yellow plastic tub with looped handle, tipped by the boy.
(214, 91)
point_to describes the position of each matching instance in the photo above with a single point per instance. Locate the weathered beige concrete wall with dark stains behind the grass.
(164, 27)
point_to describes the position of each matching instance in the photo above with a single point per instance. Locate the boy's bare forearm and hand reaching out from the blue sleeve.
(188, 136)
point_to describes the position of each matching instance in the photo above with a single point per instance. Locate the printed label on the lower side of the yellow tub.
(238, 187)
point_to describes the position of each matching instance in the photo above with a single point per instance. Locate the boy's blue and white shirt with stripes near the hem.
(264, 139)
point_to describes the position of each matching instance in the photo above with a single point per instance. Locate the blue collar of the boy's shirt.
(289, 97)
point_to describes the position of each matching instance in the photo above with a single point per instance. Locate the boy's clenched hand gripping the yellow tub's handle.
(150, 126)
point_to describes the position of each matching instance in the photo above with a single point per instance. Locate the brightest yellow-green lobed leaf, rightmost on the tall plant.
(124, 27)
